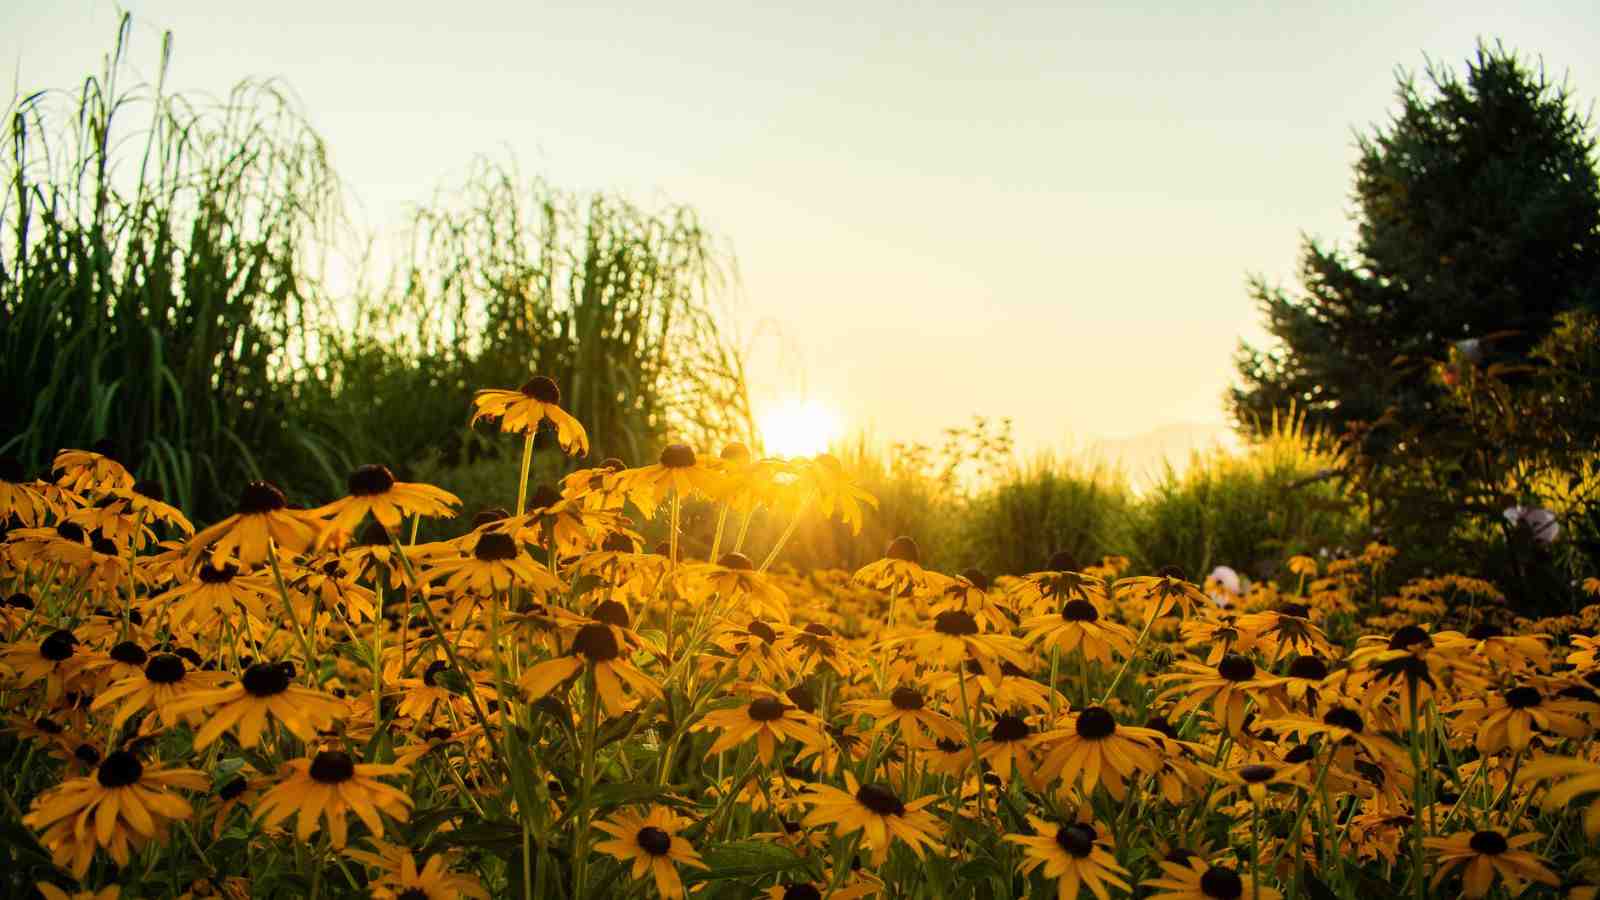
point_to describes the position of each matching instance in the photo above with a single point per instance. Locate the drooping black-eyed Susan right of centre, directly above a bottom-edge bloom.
(1095, 750)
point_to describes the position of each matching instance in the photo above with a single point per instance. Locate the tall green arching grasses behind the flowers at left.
(164, 295)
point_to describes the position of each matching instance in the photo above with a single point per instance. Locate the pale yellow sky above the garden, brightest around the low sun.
(1046, 214)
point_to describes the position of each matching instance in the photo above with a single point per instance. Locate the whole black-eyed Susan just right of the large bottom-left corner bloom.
(329, 787)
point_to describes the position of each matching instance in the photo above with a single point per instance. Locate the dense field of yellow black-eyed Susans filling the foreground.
(311, 702)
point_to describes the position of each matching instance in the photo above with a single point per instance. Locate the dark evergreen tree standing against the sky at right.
(1479, 220)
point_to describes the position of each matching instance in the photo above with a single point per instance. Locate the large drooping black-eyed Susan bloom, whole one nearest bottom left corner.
(122, 806)
